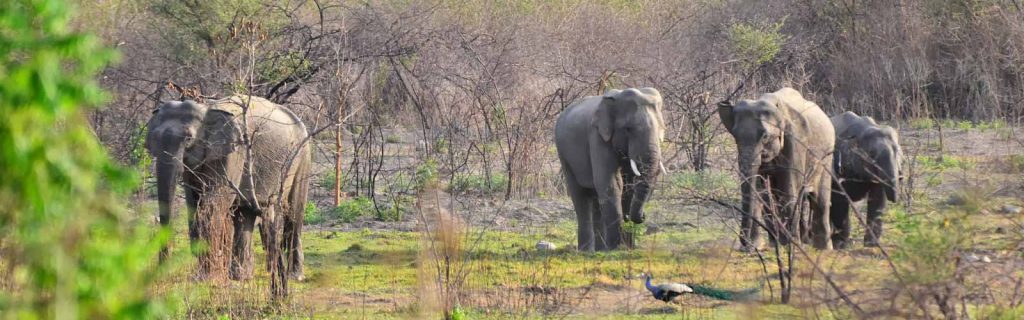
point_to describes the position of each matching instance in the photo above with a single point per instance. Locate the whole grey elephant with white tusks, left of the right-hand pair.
(610, 151)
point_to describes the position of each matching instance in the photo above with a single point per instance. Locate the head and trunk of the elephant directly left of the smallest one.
(759, 129)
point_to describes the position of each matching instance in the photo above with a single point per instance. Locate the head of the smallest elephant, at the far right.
(876, 157)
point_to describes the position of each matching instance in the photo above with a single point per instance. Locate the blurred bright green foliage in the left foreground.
(68, 245)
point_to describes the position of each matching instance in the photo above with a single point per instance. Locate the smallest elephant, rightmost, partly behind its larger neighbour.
(868, 165)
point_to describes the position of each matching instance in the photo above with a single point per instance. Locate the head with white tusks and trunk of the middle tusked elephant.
(631, 122)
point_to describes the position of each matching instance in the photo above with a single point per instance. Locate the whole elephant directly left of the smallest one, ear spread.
(785, 146)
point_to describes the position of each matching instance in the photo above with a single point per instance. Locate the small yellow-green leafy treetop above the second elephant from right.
(757, 45)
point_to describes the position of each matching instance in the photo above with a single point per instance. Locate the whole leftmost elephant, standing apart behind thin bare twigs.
(202, 145)
